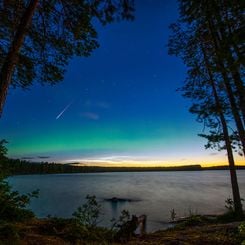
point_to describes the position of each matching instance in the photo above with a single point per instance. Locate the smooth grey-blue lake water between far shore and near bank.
(154, 193)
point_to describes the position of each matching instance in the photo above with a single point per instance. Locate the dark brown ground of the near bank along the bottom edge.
(56, 231)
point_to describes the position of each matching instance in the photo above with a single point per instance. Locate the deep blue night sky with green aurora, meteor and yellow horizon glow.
(117, 107)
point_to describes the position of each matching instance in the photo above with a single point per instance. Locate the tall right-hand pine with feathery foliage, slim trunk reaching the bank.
(210, 81)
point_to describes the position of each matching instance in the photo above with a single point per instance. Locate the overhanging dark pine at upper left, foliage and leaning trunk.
(38, 37)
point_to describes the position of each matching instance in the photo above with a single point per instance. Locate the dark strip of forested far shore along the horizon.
(21, 167)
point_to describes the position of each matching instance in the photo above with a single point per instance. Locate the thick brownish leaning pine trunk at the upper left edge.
(12, 56)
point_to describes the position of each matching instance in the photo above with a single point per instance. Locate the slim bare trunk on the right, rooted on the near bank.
(234, 182)
